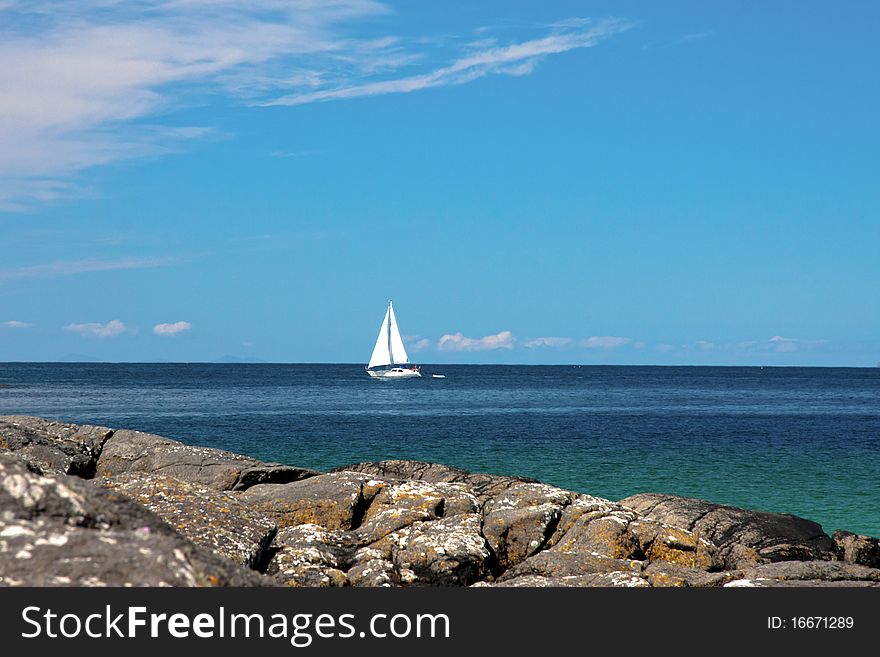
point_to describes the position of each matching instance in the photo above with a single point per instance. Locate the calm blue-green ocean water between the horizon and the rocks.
(797, 440)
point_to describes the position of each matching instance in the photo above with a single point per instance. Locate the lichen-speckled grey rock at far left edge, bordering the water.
(53, 447)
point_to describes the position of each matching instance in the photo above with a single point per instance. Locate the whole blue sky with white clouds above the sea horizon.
(567, 182)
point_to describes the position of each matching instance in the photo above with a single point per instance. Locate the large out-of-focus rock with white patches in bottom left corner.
(63, 531)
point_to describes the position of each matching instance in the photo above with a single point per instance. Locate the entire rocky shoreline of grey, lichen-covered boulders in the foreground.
(84, 505)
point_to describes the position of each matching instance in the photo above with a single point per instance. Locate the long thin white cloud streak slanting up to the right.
(513, 59)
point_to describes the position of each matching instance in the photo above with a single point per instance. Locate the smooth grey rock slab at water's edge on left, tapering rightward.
(135, 451)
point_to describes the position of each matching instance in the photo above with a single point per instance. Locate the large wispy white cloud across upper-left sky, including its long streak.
(82, 81)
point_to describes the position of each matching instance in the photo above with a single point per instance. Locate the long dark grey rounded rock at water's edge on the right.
(742, 536)
